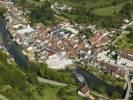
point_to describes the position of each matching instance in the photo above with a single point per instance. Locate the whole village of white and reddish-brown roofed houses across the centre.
(61, 45)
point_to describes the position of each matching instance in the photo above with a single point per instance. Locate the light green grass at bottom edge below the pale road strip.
(52, 93)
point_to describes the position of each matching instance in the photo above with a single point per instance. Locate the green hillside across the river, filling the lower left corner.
(19, 84)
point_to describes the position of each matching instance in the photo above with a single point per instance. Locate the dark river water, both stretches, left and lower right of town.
(15, 50)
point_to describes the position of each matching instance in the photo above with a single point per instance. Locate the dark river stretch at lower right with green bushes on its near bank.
(101, 87)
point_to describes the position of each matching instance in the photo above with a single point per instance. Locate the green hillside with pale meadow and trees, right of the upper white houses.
(103, 13)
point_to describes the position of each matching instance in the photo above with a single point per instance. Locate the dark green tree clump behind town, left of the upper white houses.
(43, 14)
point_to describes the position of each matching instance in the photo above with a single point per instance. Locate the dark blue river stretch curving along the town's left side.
(12, 46)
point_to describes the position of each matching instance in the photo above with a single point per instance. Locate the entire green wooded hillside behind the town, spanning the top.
(103, 13)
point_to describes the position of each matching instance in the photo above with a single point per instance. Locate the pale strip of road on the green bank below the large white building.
(43, 80)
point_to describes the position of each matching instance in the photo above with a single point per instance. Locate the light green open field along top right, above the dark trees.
(100, 7)
